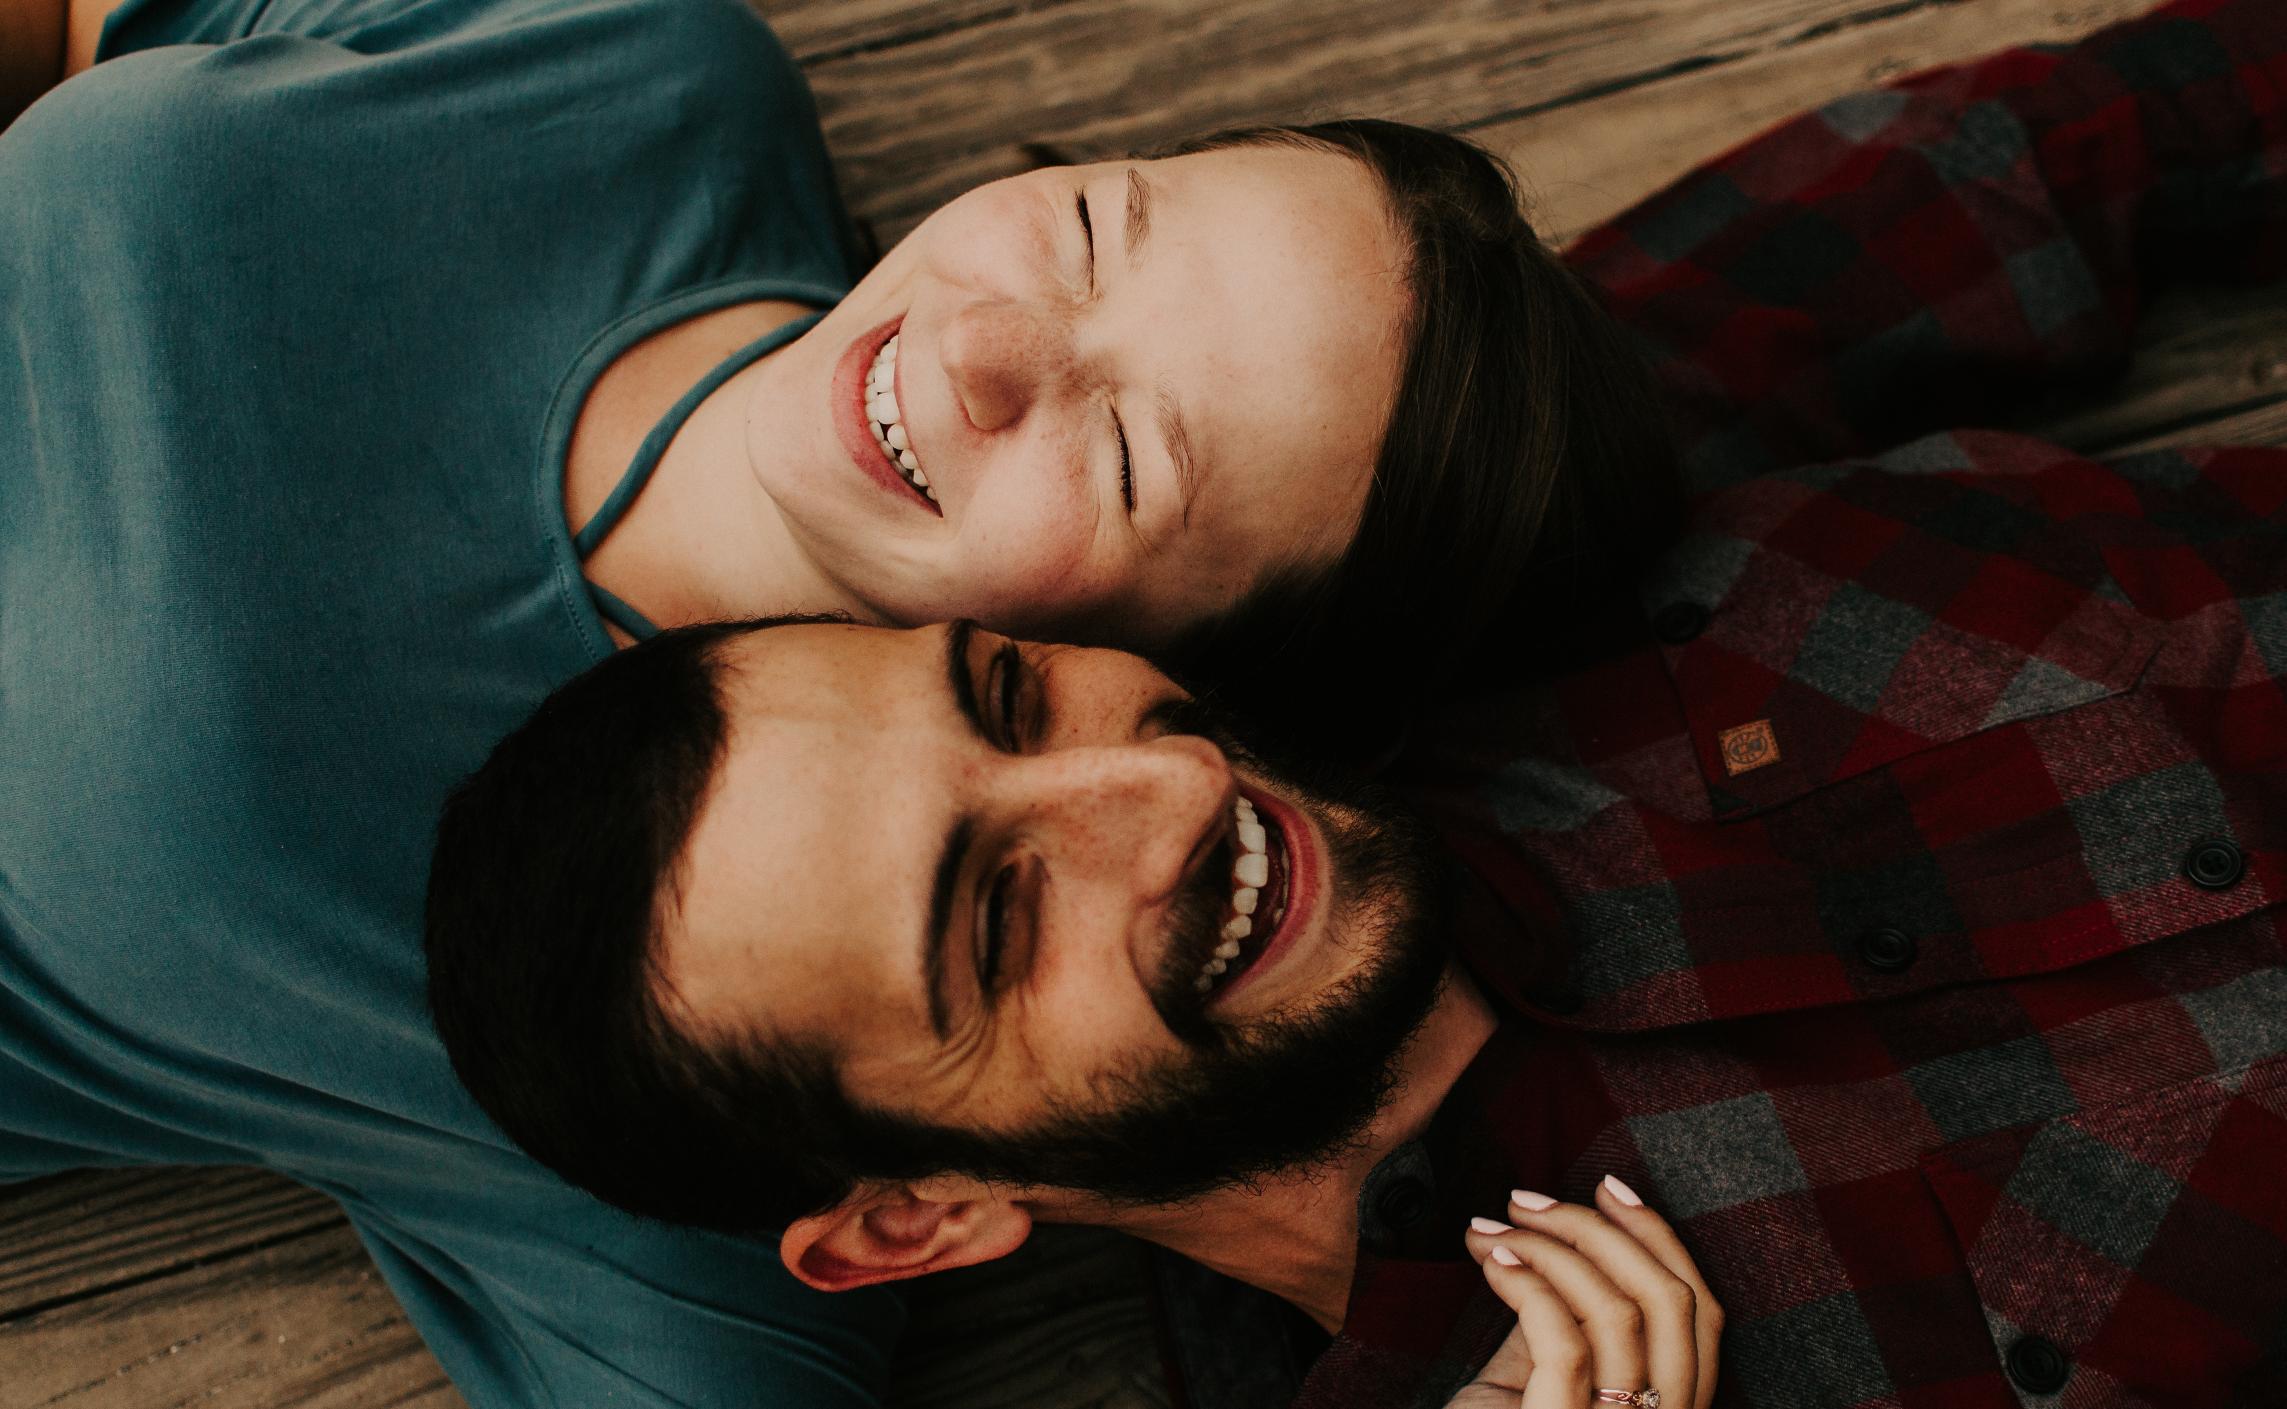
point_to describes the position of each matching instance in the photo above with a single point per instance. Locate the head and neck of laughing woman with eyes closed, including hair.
(1305, 411)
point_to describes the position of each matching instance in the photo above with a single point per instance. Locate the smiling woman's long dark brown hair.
(1524, 477)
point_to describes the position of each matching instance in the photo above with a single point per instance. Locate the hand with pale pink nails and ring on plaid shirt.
(1607, 1300)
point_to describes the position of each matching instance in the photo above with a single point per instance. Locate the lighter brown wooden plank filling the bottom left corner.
(301, 1326)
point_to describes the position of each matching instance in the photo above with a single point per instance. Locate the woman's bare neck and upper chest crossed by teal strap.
(701, 541)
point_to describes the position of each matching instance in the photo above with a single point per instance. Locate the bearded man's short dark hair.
(543, 944)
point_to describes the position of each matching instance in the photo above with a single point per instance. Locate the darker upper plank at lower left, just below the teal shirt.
(74, 1236)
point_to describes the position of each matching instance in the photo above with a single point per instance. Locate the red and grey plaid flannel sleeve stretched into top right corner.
(1936, 253)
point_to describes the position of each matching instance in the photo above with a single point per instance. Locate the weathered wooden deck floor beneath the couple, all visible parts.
(239, 1291)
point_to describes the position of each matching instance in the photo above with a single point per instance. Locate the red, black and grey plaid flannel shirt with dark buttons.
(1904, 916)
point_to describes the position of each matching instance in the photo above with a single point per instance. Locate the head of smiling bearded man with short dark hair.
(943, 893)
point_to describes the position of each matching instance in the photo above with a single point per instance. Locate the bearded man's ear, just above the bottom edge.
(898, 1232)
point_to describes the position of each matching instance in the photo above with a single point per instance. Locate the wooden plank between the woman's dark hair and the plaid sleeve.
(1586, 164)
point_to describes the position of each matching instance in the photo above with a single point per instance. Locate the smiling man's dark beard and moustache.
(1282, 1092)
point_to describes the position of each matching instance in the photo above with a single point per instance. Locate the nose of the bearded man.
(1126, 815)
